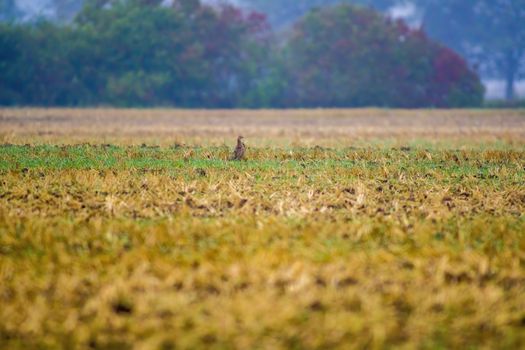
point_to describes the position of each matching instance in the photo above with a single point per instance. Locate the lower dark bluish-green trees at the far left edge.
(34, 72)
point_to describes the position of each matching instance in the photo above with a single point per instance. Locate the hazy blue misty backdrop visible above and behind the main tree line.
(488, 34)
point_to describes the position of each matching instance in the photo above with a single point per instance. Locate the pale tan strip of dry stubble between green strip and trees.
(333, 127)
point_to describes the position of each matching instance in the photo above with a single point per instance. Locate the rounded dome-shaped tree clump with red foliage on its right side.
(351, 56)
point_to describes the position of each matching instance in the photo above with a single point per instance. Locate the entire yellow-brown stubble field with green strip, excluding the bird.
(342, 229)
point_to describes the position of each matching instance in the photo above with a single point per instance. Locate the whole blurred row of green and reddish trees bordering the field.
(188, 54)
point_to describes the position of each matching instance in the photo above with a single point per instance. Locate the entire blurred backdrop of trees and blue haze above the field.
(262, 53)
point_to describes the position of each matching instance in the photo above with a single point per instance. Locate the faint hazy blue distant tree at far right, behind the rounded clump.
(490, 33)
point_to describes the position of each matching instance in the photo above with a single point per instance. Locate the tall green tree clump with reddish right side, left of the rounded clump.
(187, 55)
